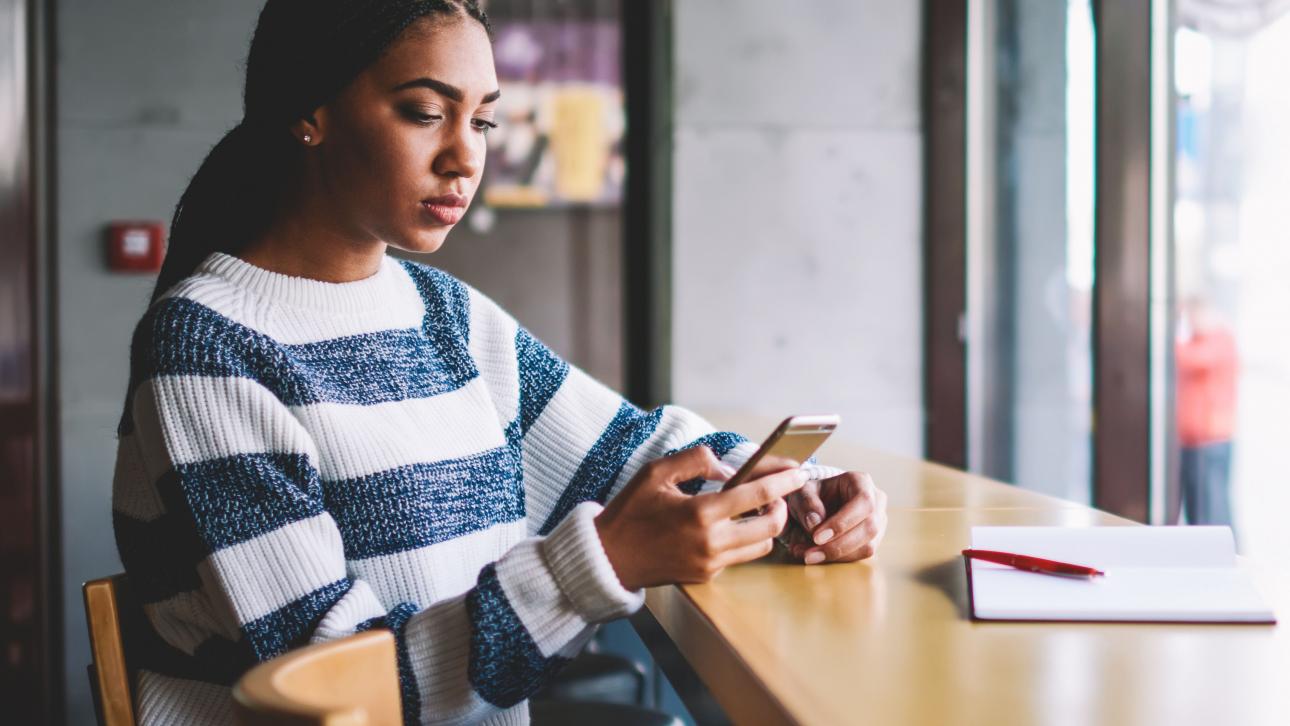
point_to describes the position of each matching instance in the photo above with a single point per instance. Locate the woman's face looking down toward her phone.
(401, 153)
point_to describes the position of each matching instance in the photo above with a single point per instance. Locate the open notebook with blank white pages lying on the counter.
(1184, 574)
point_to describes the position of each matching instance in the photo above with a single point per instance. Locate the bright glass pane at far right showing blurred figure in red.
(1231, 264)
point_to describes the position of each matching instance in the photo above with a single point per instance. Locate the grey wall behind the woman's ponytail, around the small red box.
(145, 90)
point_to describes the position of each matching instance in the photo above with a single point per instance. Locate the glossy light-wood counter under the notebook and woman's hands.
(889, 640)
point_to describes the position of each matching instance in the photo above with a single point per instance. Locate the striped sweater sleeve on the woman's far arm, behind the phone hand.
(579, 440)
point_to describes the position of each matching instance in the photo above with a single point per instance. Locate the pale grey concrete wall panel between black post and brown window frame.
(798, 208)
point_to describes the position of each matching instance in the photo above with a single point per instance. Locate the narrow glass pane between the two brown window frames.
(1030, 244)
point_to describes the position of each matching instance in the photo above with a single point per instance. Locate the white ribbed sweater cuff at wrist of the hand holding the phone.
(584, 572)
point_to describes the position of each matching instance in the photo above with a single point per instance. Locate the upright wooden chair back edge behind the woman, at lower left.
(108, 604)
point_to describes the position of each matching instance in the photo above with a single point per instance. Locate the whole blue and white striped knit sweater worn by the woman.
(300, 461)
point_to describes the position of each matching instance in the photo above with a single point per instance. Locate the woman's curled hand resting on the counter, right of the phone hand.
(840, 519)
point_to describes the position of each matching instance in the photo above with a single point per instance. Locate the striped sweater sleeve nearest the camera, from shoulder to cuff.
(221, 522)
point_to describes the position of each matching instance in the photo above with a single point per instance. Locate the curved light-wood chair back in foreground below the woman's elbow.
(352, 682)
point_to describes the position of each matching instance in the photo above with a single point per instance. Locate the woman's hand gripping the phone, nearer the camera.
(656, 535)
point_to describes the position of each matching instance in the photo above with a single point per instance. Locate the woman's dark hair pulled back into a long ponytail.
(304, 54)
